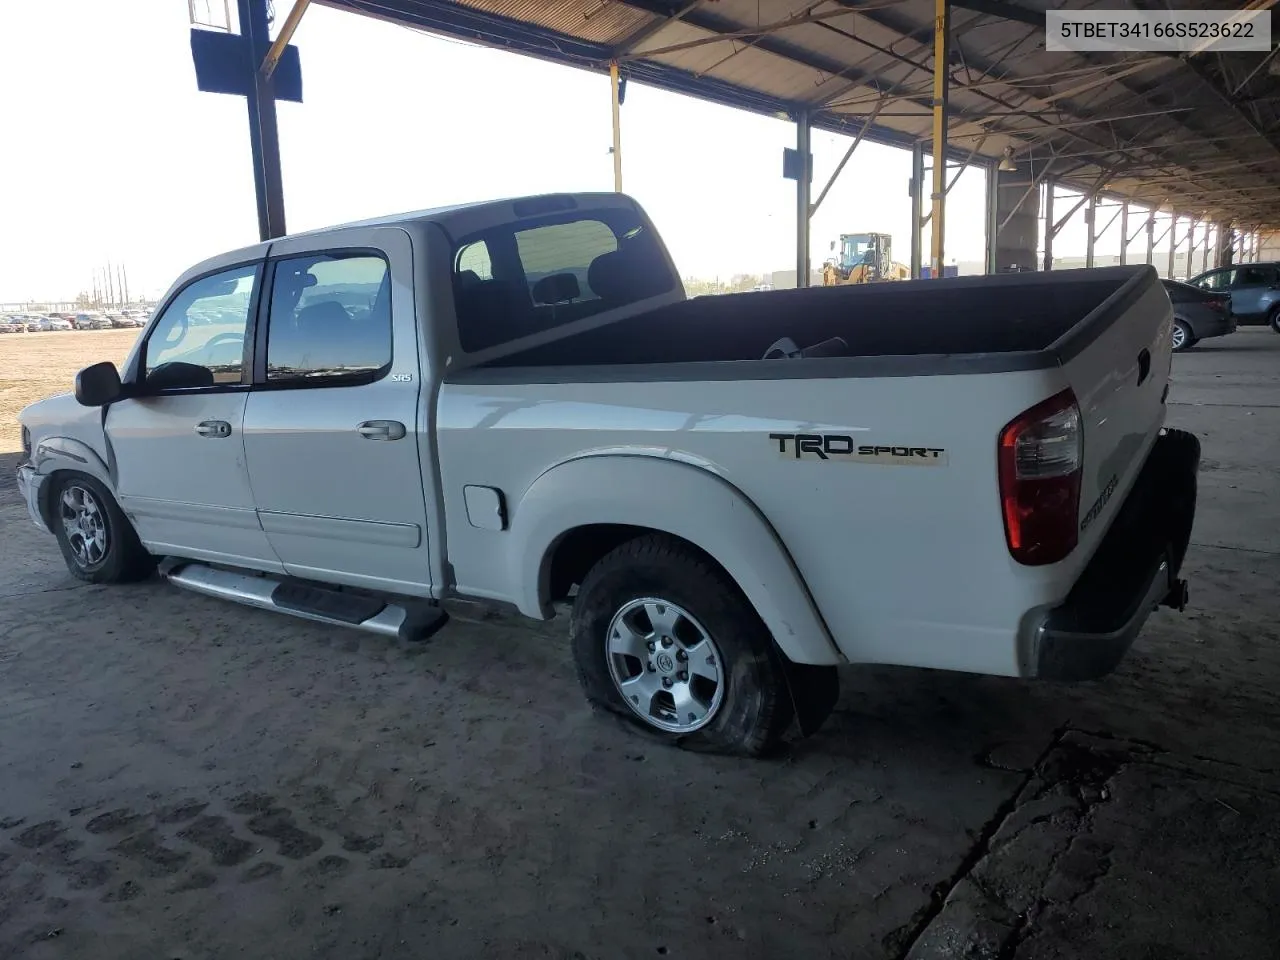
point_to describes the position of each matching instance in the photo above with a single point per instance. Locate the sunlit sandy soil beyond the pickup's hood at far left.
(35, 365)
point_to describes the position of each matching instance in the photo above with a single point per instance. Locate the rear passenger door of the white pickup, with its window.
(331, 429)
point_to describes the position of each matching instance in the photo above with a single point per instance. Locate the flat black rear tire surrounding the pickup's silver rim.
(755, 708)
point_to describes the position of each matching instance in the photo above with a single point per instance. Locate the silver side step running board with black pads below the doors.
(399, 619)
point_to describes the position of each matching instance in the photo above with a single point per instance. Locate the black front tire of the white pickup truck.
(122, 559)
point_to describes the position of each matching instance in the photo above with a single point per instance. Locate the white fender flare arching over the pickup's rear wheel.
(691, 504)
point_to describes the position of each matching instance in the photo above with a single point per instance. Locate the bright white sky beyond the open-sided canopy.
(113, 156)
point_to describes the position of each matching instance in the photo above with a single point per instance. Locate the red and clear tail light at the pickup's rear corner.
(1040, 481)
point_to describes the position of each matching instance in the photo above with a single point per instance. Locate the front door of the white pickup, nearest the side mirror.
(177, 442)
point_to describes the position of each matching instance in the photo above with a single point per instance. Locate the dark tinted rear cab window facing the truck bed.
(523, 278)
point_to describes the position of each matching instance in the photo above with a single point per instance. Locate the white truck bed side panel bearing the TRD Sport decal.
(906, 557)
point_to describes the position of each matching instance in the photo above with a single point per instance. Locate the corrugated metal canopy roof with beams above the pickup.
(1196, 134)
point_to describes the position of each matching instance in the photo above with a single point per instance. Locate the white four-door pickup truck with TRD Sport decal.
(516, 403)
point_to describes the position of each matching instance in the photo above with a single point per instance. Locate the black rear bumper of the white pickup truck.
(1135, 570)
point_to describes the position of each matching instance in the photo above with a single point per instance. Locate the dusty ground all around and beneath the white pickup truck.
(186, 779)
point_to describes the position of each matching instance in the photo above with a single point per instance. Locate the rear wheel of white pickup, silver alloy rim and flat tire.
(664, 638)
